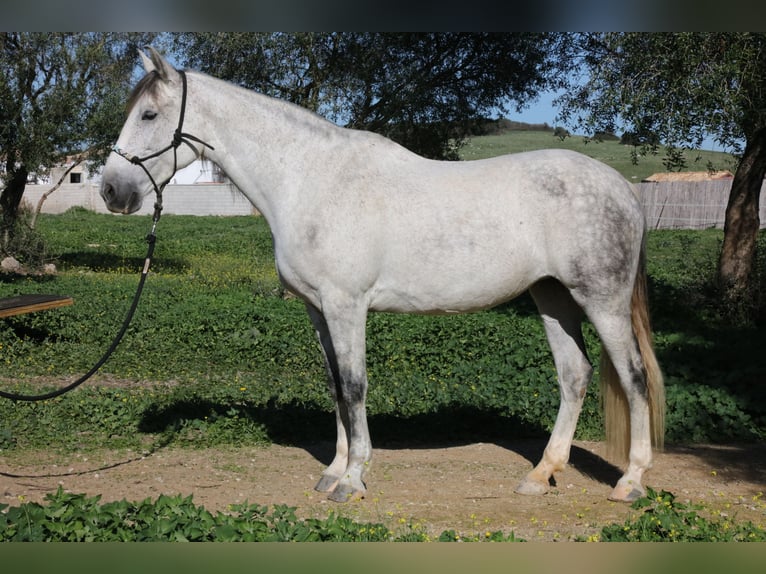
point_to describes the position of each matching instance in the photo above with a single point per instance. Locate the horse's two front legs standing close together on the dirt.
(343, 342)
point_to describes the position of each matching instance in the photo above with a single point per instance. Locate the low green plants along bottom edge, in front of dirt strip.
(66, 517)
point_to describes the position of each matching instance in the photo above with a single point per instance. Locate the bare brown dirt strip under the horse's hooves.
(468, 488)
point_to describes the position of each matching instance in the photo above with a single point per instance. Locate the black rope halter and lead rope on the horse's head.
(179, 137)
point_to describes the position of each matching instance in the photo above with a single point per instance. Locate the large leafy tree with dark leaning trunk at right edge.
(676, 88)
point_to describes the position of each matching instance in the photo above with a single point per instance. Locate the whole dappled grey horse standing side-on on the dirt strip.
(361, 224)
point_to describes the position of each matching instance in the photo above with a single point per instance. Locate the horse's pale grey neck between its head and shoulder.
(259, 142)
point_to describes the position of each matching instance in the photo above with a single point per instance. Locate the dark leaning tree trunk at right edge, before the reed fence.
(737, 262)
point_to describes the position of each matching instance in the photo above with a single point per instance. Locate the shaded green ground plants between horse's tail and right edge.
(712, 368)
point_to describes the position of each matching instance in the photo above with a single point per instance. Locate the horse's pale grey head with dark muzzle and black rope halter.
(148, 151)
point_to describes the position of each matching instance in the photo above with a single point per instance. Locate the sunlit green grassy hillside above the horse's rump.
(610, 152)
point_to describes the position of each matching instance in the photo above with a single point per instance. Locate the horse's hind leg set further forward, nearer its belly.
(562, 319)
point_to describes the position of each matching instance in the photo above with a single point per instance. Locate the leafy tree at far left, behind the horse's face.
(60, 93)
